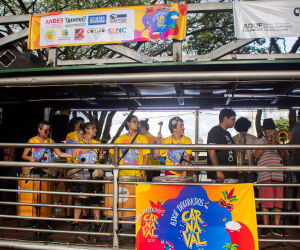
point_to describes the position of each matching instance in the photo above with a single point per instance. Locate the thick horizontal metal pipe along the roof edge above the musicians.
(151, 78)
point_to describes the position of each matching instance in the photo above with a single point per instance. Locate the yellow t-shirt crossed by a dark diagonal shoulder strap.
(133, 156)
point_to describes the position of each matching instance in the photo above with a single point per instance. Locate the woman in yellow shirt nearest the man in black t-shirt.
(175, 157)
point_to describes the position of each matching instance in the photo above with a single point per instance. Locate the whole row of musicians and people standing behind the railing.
(138, 133)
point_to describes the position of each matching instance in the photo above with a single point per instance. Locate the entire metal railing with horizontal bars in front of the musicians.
(115, 168)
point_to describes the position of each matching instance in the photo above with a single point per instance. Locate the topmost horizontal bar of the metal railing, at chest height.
(151, 146)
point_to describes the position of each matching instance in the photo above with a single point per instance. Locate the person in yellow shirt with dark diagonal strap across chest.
(133, 156)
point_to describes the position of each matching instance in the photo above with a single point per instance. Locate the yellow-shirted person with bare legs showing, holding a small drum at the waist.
(86, 156)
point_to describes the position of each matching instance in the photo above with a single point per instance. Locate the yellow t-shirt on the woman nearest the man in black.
(173, 156)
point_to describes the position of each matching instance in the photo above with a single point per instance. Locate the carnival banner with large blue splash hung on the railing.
(196, 217)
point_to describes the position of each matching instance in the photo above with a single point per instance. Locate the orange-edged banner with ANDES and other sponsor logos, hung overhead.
(107, 25)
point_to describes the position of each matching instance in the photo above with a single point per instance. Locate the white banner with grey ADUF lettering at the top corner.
(280, 18)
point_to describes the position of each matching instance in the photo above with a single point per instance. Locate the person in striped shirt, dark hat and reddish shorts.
(272, 158)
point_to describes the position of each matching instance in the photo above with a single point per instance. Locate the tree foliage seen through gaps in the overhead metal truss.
(205, 31)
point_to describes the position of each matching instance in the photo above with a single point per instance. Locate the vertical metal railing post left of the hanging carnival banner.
(115, 199)
